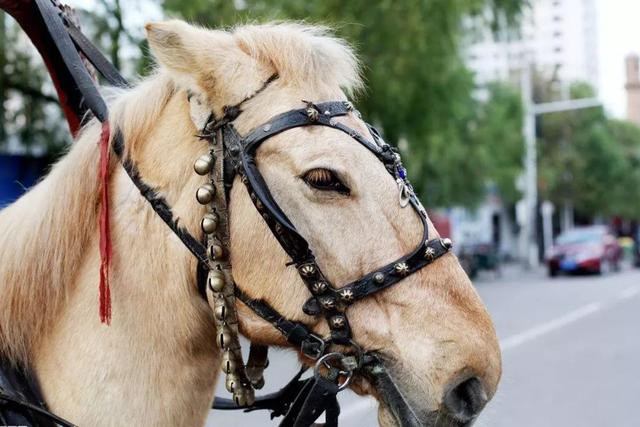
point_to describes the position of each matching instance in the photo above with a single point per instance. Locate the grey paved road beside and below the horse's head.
(571, 348)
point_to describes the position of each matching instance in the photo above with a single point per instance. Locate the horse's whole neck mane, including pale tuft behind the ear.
(45, 234)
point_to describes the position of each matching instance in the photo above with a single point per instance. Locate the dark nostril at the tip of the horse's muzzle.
(465, 400)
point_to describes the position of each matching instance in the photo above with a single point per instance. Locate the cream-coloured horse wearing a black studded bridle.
(156, 363)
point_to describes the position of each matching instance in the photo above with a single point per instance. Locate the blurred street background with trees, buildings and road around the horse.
(519, 122)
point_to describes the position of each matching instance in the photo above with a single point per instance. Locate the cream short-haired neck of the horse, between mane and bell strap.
(160, 346)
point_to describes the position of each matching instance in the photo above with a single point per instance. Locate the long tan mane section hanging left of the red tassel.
(42, 238)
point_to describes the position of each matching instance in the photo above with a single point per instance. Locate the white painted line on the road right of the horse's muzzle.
(560, 322)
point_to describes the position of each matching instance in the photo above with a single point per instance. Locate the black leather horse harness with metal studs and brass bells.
(337, 357)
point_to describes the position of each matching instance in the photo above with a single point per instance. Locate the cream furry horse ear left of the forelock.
(170, 43)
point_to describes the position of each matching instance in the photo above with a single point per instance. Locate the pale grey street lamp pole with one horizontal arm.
(528, 235)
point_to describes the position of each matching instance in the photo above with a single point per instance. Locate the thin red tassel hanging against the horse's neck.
(105, 235)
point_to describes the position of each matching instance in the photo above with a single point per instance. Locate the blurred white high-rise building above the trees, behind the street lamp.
(558, 36)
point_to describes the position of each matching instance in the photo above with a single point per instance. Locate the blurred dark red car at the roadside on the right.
(585, 249)
